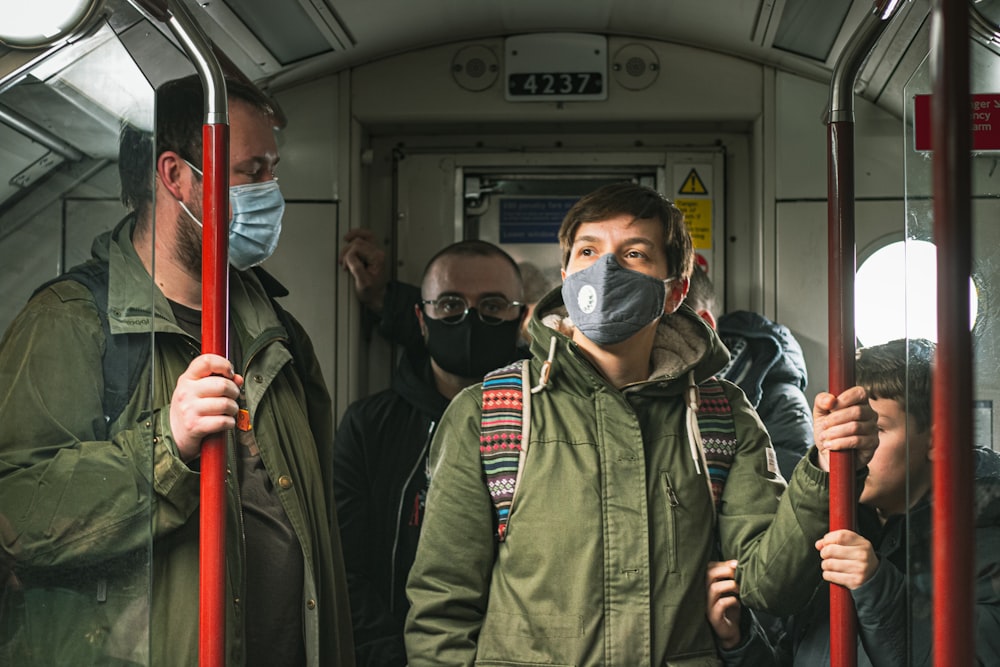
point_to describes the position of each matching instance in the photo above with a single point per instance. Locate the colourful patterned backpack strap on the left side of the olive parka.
(502, 432)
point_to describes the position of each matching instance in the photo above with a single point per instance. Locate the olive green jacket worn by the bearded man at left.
(100, 521)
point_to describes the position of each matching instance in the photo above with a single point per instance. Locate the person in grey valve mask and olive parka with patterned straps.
(603, 551)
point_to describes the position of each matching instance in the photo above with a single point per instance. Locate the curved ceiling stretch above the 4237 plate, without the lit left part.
(804, 36)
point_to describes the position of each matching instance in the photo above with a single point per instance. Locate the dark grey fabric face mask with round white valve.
(609, 303)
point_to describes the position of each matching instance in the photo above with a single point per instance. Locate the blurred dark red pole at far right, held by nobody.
(952, 514)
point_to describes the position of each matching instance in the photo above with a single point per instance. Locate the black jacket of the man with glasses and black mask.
(380, 484)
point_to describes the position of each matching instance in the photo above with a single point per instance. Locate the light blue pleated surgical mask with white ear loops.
(255, 226)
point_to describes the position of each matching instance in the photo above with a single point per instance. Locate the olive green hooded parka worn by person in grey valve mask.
(612, 524)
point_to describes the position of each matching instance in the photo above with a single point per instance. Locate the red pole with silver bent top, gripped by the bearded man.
(214, 332)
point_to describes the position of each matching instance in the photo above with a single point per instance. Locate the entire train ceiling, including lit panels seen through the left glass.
(48, 115)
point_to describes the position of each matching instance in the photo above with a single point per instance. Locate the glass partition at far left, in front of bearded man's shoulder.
(77, 434)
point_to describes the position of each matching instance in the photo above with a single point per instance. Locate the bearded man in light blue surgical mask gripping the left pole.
(111, 568)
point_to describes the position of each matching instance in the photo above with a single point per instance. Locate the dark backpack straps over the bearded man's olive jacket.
(126, 355)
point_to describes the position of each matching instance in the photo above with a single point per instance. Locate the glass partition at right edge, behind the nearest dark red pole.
(914, 528)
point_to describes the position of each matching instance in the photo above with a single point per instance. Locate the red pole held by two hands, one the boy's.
(842, 266)
